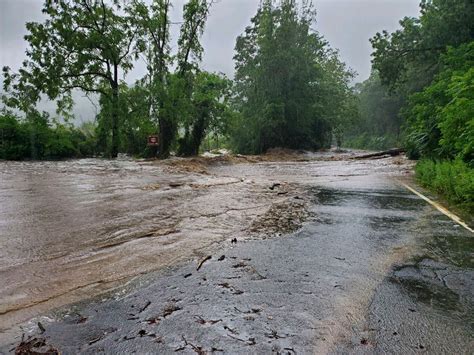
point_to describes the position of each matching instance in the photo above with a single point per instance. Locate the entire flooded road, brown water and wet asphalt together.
(348, 280)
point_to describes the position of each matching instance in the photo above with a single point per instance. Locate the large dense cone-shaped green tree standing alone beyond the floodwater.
(291, 89)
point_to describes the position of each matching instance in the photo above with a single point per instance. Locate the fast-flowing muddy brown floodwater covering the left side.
(72, 229)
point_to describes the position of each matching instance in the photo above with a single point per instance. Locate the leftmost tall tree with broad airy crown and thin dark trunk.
(84, 45)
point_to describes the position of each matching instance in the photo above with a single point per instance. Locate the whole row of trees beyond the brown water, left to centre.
(290, 88)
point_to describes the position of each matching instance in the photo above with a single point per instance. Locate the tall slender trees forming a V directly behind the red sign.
(172, 96)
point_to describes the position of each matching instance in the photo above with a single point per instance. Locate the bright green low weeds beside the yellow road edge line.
(452, 179)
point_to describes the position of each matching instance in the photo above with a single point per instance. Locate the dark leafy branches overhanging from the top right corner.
(409, 57)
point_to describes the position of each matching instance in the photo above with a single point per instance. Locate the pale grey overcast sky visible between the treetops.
(346, 24)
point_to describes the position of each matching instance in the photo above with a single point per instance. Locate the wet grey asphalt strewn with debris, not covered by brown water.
(374, 270)
